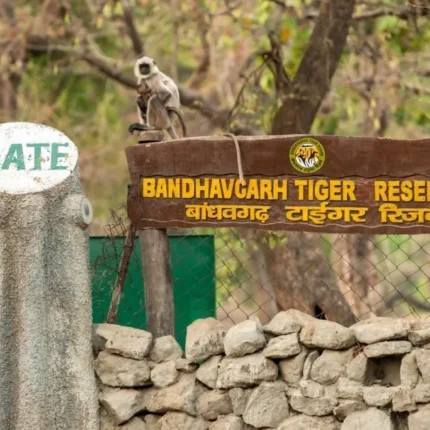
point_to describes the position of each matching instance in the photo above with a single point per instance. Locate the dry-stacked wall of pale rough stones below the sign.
(295, 373)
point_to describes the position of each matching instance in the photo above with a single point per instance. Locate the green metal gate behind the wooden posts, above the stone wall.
(193, 266)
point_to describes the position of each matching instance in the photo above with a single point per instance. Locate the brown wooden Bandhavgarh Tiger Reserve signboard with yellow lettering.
(315, 183)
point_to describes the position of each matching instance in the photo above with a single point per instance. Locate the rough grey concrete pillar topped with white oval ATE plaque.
(46, 366)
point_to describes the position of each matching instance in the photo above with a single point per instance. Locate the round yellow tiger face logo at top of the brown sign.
(307, 155)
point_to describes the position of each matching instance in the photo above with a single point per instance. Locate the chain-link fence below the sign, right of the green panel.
(371, 275)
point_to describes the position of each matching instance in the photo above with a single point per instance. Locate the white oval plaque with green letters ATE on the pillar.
(34, 157)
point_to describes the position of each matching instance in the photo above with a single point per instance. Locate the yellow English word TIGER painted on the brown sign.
(321, 190)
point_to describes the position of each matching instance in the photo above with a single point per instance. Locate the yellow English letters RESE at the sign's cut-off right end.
(402, 191)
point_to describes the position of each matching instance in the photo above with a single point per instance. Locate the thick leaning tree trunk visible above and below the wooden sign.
(301, 274)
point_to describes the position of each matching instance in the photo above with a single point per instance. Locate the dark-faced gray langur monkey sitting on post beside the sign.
(156, 112)
